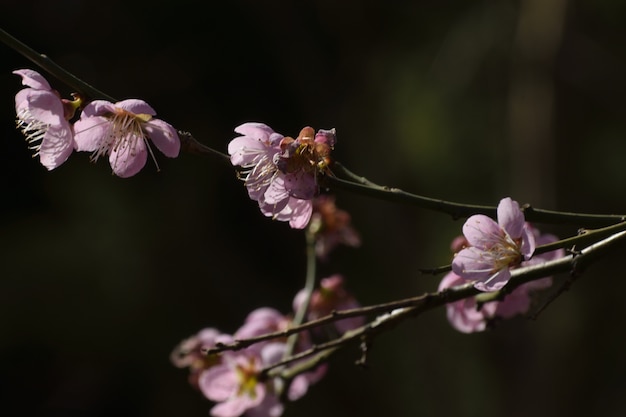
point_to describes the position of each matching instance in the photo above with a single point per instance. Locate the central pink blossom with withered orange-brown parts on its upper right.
(281, 173)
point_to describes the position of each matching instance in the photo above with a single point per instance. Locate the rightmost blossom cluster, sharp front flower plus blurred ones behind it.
(485, 255)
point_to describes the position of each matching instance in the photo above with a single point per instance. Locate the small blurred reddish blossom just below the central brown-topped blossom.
(331, 226)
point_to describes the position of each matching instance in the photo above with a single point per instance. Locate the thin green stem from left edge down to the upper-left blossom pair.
(89, 92)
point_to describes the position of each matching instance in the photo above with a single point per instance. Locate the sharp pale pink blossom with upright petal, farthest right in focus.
(494, 248)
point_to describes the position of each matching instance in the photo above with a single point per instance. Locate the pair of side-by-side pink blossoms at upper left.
(118, 130)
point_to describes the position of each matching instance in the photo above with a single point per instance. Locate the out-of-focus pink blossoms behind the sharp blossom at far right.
(469, 316)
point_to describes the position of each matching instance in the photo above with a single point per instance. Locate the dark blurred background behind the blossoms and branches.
(100, 277)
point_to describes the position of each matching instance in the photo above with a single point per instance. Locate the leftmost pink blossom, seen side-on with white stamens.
(43, 117)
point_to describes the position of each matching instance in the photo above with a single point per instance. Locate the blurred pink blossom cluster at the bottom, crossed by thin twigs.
(235, 380)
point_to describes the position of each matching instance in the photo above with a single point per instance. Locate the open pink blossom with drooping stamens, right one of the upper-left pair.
(121, 131)
